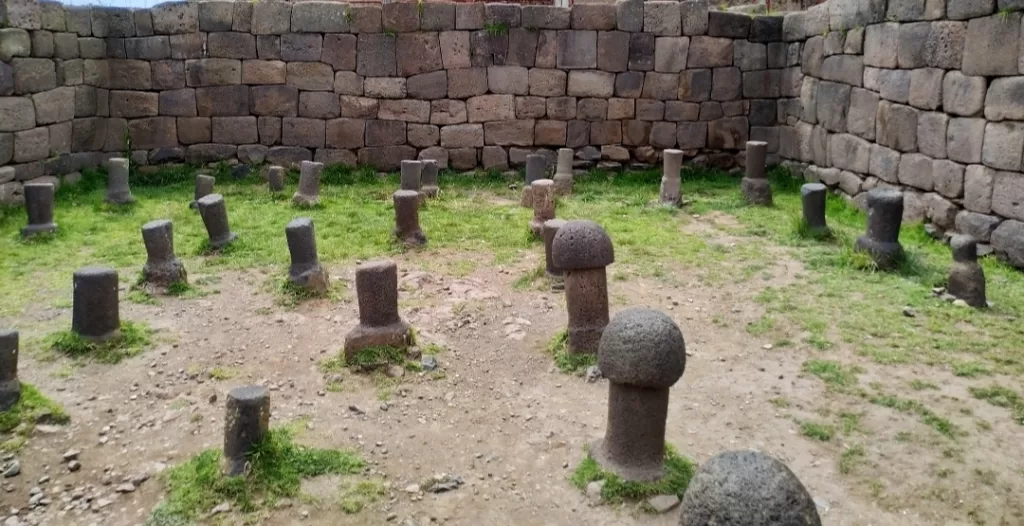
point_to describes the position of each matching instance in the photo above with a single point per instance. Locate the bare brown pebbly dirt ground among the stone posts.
(502, 418)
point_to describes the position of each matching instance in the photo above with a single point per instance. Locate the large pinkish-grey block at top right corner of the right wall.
(987, 52)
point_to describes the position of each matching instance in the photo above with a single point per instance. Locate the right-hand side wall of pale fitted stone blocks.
(927, 96)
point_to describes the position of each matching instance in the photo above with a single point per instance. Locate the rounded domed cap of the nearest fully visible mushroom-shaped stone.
(643, 347)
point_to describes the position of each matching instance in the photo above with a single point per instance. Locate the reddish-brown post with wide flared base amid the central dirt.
(380, 325)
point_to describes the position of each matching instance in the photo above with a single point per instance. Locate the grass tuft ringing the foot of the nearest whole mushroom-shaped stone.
(678, 472)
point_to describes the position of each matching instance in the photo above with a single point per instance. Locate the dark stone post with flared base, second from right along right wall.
(885, 216)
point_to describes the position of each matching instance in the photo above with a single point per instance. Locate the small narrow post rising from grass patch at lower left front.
(247, 423)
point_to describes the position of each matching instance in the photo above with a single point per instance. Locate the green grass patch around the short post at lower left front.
(278, 467)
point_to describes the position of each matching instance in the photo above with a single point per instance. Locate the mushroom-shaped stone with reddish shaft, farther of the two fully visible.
(583, 250)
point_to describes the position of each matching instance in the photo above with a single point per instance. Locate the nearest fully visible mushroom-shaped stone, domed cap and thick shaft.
(643, 354)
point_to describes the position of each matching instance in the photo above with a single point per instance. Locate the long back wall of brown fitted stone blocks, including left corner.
(471, 85)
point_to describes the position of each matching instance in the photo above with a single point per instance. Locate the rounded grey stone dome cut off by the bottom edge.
(747, 489)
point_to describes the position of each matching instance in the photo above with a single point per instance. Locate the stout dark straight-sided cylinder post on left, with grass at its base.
(96, 316)
